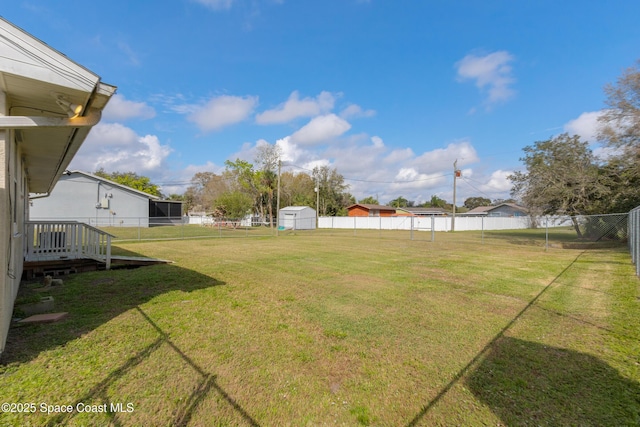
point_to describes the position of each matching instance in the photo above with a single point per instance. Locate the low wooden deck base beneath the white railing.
(59, 267)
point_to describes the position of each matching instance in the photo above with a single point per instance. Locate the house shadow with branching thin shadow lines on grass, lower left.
(94, 298)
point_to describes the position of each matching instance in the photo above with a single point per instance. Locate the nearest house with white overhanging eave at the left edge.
(48, 105)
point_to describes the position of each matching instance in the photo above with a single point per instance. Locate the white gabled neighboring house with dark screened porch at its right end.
(84, 197)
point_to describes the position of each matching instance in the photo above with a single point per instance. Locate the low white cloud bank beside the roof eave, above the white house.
(115, 147)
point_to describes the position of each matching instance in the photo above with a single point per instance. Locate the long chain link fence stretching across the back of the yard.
(548, 231)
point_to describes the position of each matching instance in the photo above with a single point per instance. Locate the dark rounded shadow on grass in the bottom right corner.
(527, 383)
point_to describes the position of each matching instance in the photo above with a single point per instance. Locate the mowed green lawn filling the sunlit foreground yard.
(308, 330)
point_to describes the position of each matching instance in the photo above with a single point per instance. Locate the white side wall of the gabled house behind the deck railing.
(75, 197)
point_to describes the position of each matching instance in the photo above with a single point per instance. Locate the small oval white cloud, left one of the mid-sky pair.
(222, 111)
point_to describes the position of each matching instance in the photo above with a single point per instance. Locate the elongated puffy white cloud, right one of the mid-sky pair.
(295, 107)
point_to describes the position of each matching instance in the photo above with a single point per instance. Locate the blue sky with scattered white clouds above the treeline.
(390, 93)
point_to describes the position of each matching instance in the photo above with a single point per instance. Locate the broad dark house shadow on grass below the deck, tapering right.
(94, 298)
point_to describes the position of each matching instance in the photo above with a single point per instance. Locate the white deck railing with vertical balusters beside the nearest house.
(47, 240)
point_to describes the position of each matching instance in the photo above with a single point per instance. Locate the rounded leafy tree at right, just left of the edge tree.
(561, 177)
